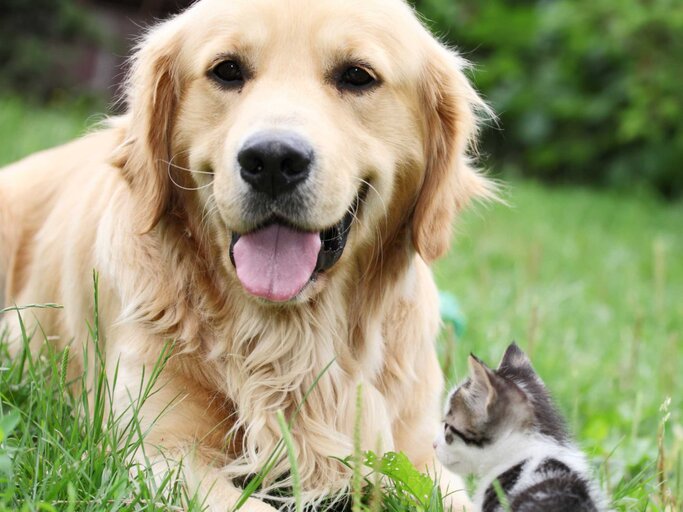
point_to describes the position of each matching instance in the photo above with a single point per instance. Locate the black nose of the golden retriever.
(275, 162)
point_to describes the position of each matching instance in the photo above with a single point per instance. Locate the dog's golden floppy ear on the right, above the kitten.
(451, 108)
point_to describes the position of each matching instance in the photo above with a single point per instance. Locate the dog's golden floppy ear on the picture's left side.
(152, 93)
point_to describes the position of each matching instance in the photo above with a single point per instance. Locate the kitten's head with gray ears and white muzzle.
(491, 405)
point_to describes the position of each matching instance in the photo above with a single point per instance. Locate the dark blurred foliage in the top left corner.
(42, 44)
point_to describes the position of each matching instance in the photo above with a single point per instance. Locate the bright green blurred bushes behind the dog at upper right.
(587, 91)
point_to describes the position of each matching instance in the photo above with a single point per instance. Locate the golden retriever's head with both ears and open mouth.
(301, 131)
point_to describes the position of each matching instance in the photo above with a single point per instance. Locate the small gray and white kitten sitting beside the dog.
(502, 425)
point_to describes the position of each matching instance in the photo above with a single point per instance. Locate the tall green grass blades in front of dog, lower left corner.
(63, 451)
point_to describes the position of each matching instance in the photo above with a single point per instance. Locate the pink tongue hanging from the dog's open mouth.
(276, 262)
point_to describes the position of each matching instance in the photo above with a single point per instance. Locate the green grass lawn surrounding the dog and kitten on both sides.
(589, 283)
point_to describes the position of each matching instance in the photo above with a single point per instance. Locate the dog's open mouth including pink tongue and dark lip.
(277, 261)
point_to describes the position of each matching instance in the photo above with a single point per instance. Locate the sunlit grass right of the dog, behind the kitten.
(591, 285)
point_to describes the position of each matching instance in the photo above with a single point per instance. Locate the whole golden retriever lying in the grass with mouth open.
(284, 173)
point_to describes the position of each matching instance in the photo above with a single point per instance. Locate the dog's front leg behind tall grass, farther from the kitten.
(186, 430)
